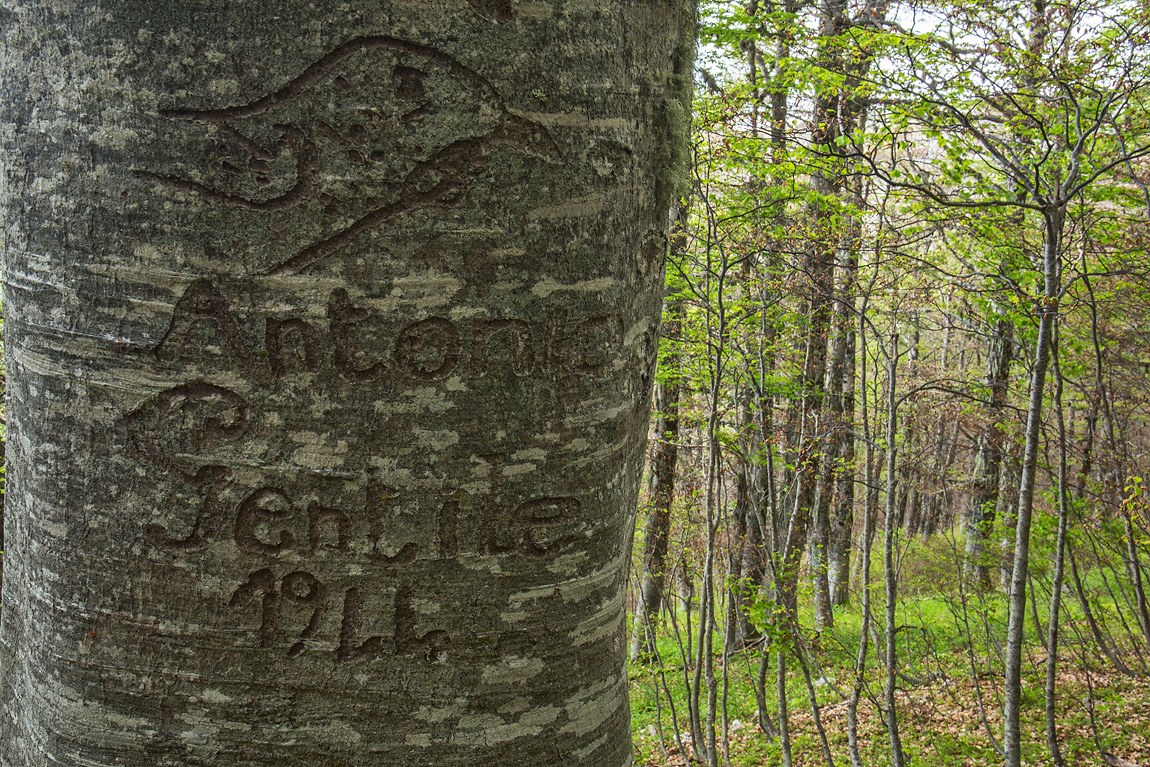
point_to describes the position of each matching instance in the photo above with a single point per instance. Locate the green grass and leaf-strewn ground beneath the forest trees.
(937, 705)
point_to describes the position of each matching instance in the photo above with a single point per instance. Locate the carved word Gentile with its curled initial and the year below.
(269, 524)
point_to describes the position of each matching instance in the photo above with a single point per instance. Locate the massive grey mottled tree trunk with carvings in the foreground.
(331, 333)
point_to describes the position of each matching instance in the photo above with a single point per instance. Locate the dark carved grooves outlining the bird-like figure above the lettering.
(440, 180)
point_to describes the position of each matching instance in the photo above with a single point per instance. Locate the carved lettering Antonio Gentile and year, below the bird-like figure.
(195, 432)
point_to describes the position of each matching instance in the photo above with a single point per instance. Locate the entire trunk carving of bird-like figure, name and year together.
(375, 129)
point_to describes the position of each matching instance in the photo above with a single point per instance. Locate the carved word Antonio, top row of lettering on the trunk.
(432, 349)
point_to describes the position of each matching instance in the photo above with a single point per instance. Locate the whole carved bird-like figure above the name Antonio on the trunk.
(412, 129)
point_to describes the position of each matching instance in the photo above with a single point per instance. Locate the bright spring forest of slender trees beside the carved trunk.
(896, 511)
